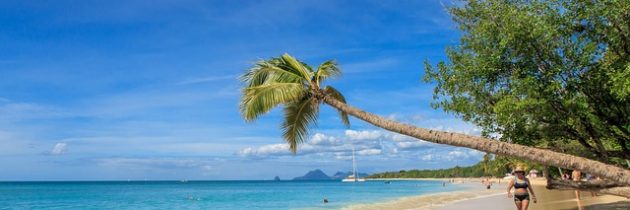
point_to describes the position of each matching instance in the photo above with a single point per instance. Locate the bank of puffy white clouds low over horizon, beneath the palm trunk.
(365, 143)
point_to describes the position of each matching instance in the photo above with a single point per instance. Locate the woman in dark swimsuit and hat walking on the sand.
(521, 186)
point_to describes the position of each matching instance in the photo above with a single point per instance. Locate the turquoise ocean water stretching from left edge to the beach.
(207, 194)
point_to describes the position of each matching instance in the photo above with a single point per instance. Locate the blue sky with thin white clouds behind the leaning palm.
(93, 90)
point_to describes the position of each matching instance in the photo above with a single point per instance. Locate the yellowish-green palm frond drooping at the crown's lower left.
(260, 99)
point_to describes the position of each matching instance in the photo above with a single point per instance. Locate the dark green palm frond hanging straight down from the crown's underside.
(298, 116)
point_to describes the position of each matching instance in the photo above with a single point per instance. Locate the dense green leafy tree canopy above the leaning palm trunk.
(545, 73)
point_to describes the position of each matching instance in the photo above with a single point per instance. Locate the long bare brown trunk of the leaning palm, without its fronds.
(545, 157)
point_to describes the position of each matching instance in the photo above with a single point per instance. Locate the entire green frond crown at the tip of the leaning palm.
(289, 82)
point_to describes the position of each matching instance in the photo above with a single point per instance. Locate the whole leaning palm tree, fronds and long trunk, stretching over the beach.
(295, 85)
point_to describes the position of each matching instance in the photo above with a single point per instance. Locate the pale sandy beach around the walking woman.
(477, 197)
